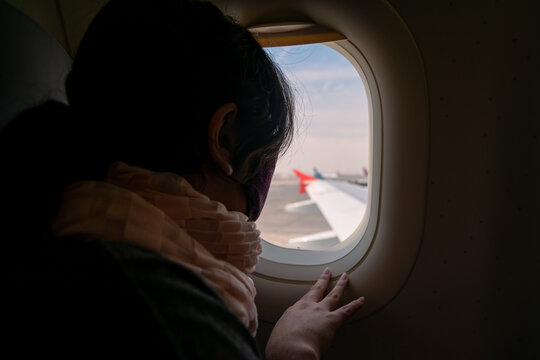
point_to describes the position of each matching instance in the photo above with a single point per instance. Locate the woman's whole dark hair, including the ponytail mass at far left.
(145, 81)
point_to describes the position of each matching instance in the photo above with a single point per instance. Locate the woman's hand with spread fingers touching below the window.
(307, 328)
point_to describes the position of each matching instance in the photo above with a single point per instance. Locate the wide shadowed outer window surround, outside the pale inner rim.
(397, 65)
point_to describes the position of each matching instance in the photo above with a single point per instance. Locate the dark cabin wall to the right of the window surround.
(474, 291)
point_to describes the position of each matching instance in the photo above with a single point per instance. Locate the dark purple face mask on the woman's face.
(257, 188)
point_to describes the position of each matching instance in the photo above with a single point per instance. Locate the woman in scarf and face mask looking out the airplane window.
(135, 211)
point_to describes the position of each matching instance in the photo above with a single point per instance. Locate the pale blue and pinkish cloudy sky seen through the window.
(331, 111)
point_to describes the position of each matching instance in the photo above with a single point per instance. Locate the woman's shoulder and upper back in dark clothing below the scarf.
(117, 298)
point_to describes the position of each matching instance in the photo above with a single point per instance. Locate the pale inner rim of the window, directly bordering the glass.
(345, 255)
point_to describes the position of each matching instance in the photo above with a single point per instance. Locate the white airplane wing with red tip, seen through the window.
(341, 203)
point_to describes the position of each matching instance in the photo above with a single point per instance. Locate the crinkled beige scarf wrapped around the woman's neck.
(163, 213)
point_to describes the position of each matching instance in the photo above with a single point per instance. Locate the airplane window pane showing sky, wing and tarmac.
(318, 195)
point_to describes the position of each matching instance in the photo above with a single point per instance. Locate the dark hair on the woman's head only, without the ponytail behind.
(152, 73)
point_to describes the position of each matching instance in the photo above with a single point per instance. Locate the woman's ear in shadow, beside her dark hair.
(220, 136)
